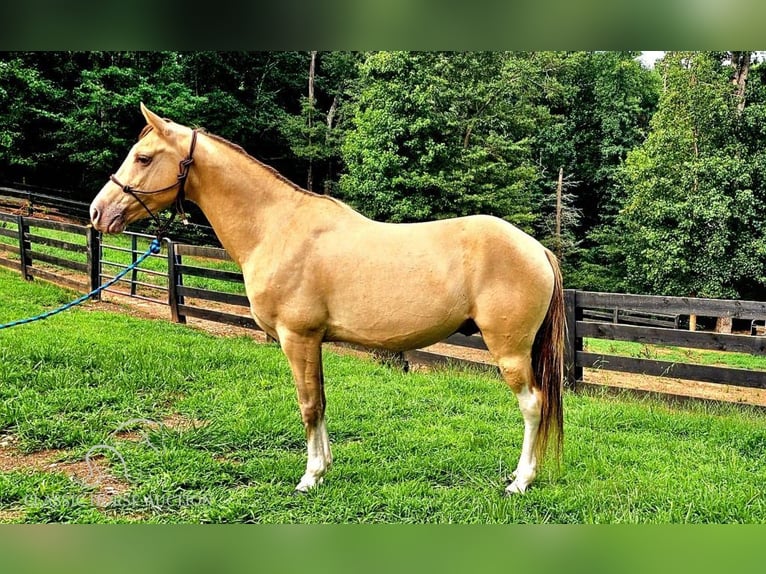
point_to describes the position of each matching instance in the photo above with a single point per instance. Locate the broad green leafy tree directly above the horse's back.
(435, 135)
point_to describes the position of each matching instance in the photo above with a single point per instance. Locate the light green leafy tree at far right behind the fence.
(692, 221)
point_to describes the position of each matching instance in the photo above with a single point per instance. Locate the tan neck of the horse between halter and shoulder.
(245, 202)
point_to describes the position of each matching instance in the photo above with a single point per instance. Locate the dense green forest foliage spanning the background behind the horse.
(664, 170)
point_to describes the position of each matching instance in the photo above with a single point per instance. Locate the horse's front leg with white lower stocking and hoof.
(305, 357)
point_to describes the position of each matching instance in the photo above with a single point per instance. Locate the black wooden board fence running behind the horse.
(616, 317)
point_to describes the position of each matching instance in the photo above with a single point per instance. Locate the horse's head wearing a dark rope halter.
(149, 180)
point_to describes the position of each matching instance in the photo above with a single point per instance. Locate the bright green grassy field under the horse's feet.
(420, 447)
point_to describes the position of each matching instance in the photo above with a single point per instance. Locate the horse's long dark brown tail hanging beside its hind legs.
(548, 364)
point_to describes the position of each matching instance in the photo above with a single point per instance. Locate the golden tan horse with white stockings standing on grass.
(316, 270)
